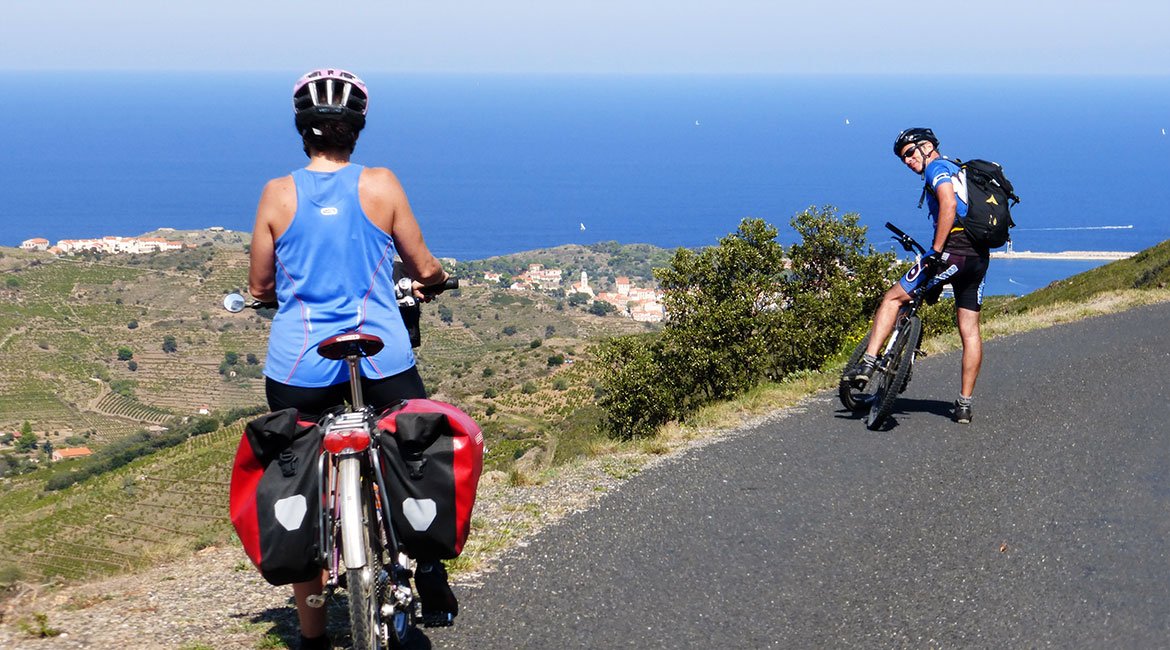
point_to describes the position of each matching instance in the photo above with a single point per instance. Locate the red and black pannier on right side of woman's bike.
(432, 457)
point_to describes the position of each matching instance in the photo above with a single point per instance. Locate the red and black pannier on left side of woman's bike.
(276, 497)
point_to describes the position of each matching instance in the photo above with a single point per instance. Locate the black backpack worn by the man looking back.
(990, 198)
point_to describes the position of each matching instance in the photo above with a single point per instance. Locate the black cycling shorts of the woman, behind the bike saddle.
(313, 403)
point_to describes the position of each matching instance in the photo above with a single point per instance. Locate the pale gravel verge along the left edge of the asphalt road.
(216, 600)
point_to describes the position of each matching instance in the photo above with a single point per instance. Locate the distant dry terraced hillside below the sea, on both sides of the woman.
(84, 340)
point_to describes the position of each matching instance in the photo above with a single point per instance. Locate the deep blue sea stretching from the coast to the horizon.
(505, 164)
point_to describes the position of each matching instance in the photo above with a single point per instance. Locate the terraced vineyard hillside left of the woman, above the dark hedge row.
(77, 328)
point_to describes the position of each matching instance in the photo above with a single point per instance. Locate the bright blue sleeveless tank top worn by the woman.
(334, 275)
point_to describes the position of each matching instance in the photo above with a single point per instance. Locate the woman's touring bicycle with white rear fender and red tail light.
(360, 547)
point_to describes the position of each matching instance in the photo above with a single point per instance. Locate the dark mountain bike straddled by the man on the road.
(896, 364)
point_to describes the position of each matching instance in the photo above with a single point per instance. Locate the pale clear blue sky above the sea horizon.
(803, 37)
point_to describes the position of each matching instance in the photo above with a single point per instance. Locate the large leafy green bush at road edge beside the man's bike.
(742, 313)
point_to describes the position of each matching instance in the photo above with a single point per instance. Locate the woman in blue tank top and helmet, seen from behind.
(324, 248)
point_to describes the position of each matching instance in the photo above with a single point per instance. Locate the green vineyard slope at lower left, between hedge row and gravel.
(168, 504)
